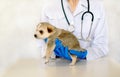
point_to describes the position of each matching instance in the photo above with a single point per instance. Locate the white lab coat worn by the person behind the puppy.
(98, 47)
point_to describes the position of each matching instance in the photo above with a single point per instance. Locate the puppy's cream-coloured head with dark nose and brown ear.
(44, 30)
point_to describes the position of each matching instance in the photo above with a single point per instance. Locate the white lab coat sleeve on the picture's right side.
(99, 45)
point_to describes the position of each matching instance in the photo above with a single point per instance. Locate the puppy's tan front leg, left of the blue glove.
(50, 49)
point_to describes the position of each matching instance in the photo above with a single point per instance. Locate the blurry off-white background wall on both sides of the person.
(18, 19)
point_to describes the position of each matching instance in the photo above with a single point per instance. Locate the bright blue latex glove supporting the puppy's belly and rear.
(63, 51)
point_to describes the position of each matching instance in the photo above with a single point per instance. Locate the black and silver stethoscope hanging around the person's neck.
(71, 27)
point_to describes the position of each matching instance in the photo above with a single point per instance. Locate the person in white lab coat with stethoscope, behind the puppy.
(85, 19)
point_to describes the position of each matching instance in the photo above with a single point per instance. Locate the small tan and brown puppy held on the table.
(46, 30)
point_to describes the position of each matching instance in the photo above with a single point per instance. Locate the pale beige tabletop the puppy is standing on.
(104, 67)
